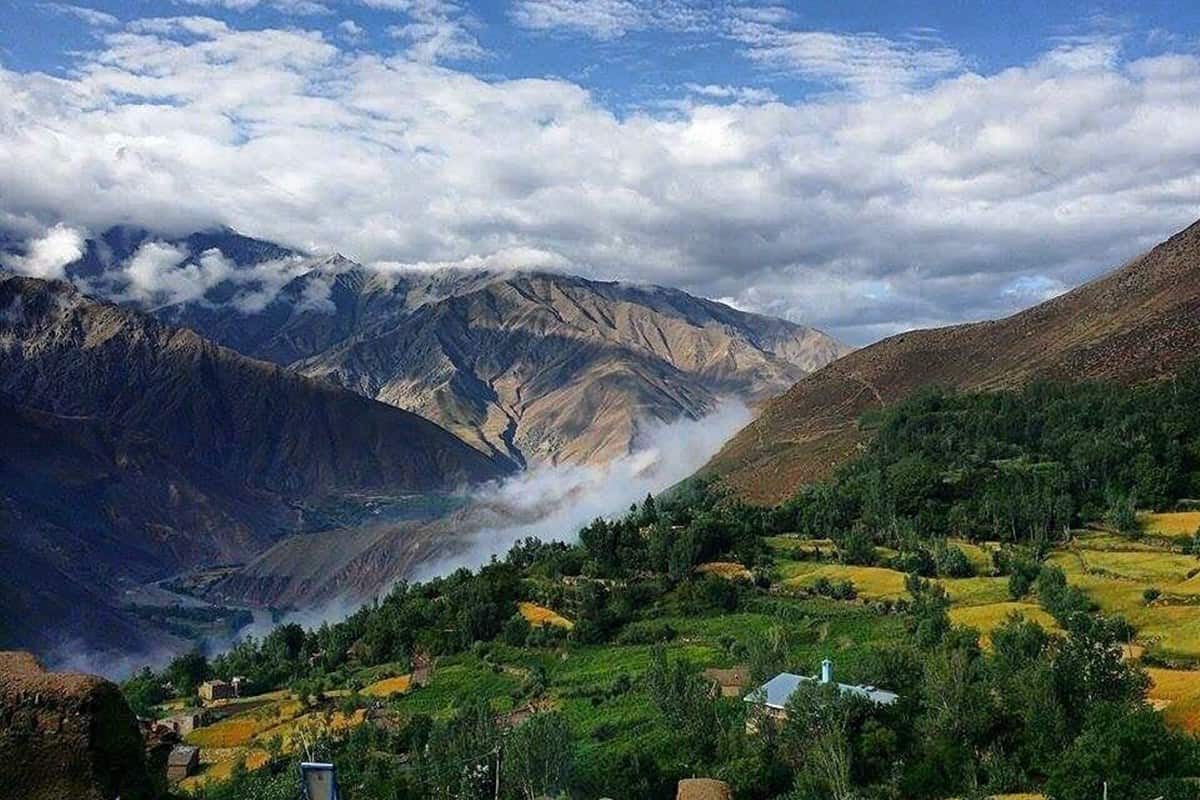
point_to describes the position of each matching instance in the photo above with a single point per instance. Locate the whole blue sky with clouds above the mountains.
(866, 169)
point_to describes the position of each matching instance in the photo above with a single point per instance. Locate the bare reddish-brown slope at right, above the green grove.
(1139, 323)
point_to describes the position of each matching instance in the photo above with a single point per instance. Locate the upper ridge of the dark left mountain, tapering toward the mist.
(64, 353)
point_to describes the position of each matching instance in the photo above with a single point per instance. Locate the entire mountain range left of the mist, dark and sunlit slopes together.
(136, 446)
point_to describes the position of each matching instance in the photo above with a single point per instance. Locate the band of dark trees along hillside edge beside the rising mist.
(617, 569)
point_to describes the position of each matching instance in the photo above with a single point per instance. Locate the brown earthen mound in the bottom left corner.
(68, 736)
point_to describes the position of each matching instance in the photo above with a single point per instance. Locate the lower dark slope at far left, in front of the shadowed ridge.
(89, 510)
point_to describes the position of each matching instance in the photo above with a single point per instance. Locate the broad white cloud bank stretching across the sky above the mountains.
(919, 207)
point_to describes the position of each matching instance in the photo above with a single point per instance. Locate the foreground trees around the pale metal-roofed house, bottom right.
(1066, 713)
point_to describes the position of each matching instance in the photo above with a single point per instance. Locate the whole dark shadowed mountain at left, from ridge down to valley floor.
(131, 452)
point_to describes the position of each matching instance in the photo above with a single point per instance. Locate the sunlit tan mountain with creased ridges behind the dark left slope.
(533, 368)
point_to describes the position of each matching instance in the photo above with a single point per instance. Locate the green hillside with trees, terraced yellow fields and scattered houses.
(1012, 566)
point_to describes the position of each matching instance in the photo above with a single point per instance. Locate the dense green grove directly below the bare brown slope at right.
(1017, 467)
